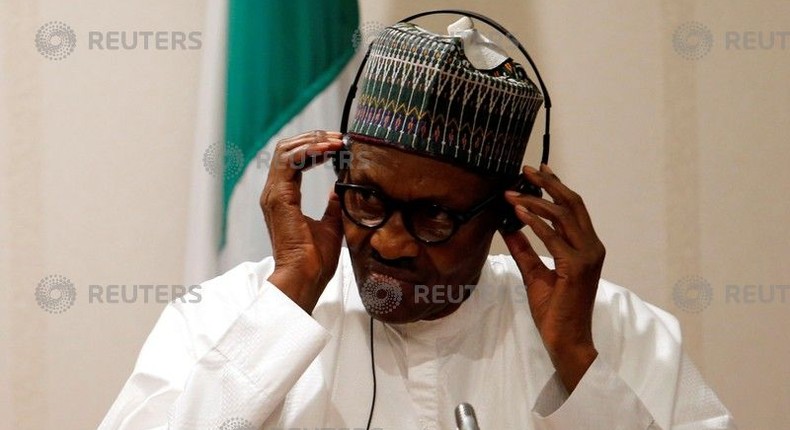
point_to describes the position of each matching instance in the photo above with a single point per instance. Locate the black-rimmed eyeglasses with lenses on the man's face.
(426, 221)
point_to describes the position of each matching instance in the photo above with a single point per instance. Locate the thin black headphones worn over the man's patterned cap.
(510, 222)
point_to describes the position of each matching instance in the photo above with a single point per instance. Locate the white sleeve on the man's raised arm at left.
(240, 380)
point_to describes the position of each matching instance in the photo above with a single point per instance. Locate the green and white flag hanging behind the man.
(271, 69)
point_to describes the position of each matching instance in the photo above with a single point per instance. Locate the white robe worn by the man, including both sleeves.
(246, 352)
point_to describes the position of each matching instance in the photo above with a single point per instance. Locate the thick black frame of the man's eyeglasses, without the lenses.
(406, 209)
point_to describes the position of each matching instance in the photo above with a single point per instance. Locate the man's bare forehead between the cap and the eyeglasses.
(407, 176)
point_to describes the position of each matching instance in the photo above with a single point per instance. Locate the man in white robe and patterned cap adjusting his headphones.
(415, 317)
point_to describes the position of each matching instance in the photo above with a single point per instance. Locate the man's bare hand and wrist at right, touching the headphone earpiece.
(561, 300)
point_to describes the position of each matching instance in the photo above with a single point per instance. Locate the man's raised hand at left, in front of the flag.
(306, 251)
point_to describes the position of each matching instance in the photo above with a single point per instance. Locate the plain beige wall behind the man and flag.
(683, 165)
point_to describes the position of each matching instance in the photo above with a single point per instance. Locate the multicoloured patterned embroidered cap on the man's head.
(420, 92)
